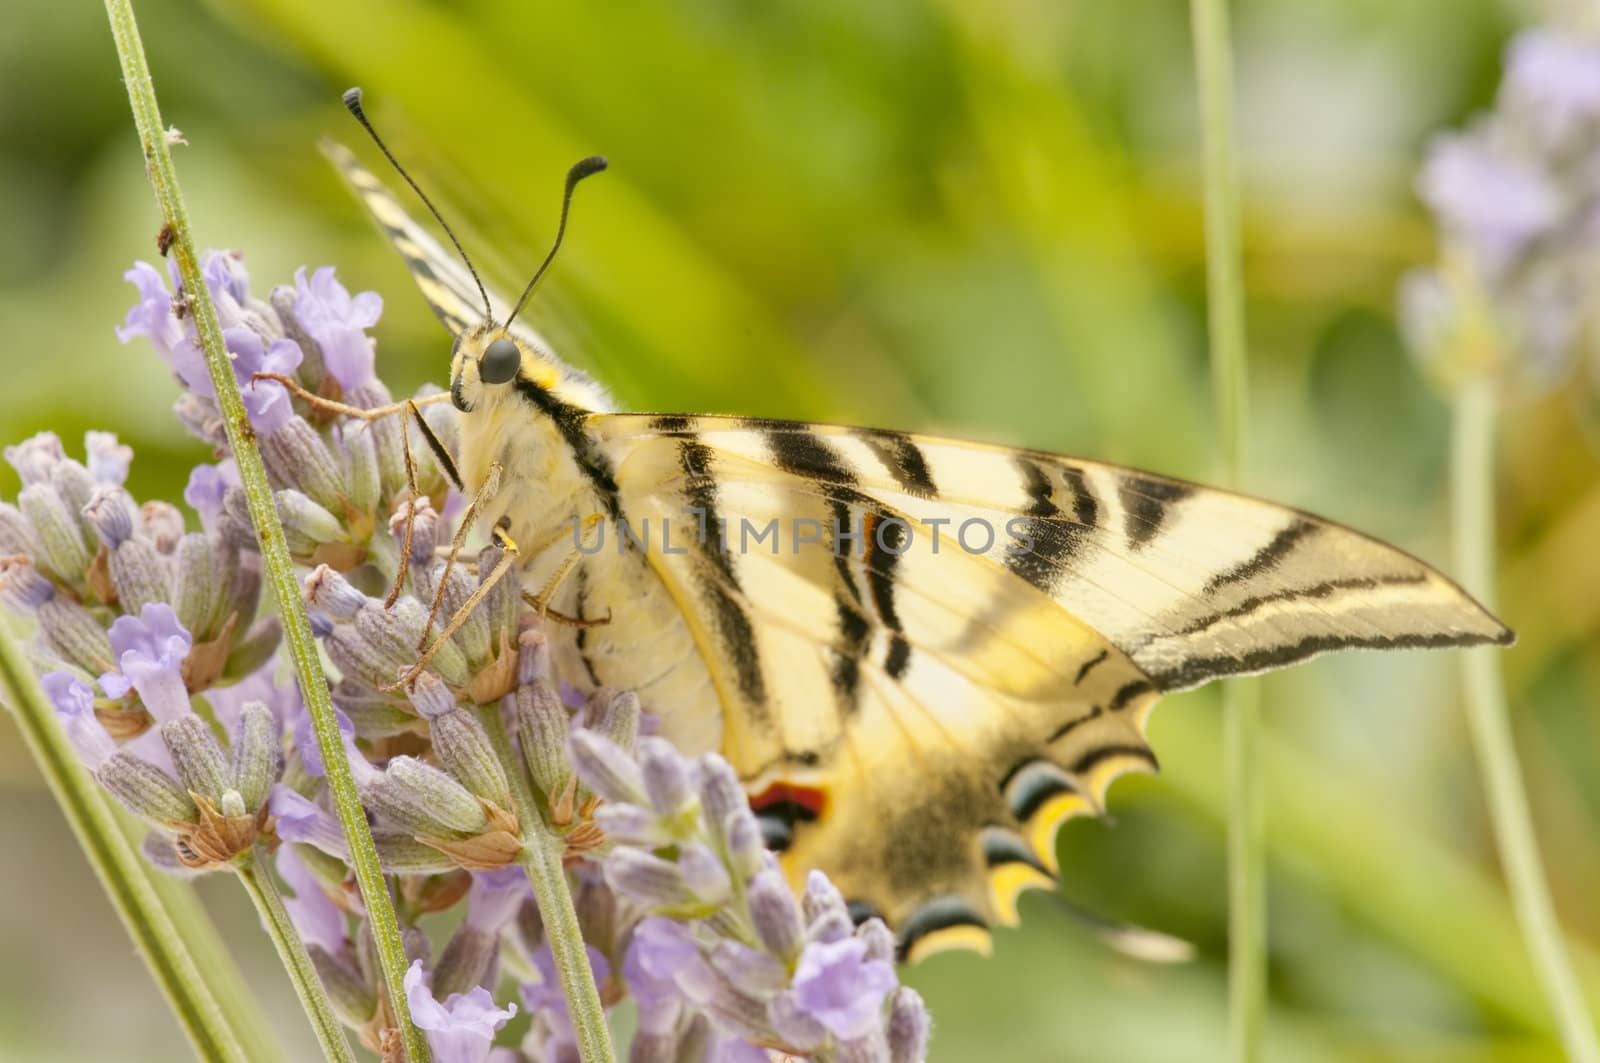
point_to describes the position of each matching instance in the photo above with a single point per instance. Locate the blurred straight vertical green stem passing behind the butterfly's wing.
(1230, 377)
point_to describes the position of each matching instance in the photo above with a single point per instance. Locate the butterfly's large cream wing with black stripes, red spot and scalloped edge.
(919, 720)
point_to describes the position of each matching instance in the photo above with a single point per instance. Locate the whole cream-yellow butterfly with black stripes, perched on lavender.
(934, 652)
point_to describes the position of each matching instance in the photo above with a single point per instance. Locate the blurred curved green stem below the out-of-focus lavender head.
(1473, 473)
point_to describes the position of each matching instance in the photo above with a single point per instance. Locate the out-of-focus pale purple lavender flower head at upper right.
(1518, 203)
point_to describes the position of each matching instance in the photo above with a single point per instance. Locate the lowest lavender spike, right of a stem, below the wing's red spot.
(754, 961)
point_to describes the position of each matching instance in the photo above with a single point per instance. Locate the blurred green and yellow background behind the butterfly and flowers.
(978, 219)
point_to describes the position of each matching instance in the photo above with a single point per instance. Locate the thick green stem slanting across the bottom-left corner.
(118, 864)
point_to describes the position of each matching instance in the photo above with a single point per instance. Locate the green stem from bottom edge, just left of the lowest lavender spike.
(542, 859)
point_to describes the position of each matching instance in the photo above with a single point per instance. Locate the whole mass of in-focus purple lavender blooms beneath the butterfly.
(676, 897)
